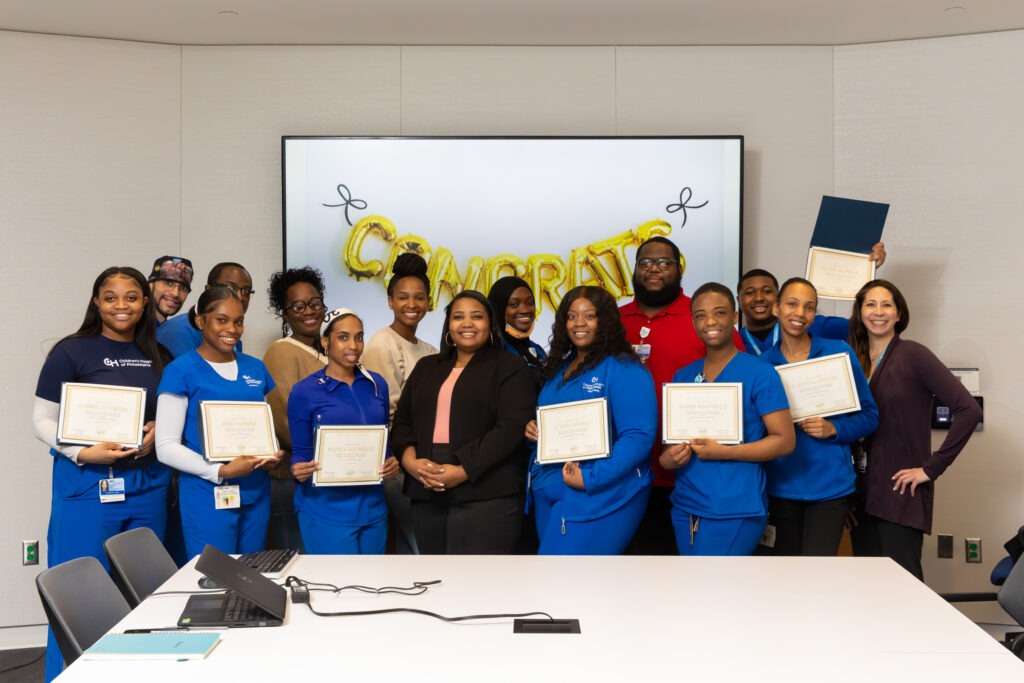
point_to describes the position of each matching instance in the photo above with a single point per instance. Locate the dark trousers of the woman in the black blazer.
(479, 528)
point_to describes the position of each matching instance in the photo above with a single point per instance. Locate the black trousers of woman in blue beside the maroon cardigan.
(808, 528)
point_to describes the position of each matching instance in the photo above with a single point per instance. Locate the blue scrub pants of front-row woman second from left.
(236, 531)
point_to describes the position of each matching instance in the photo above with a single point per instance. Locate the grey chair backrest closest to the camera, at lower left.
(81, 604)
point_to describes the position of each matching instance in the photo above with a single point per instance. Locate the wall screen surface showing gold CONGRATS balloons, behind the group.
(559, 212)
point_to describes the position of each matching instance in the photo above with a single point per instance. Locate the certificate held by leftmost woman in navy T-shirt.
(94, 414)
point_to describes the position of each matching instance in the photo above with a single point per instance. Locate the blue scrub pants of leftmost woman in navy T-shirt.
(80, 524)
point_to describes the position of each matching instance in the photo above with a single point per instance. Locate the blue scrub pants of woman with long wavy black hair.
(605, 536)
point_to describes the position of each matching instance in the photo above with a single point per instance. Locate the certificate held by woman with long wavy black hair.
(578, 431)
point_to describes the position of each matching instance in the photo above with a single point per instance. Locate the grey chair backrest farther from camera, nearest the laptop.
(140, 564)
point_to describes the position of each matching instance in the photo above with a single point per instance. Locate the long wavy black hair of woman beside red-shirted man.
(610, 340)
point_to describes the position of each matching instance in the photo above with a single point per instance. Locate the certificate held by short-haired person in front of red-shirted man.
(706, 410)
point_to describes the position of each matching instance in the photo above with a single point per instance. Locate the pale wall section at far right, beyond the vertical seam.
(934, 129)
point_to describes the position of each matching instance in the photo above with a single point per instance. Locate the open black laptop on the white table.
(251, 601)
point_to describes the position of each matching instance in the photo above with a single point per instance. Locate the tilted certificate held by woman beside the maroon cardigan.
(821, 388)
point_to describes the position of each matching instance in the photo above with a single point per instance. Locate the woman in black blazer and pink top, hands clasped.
(459, 430)
